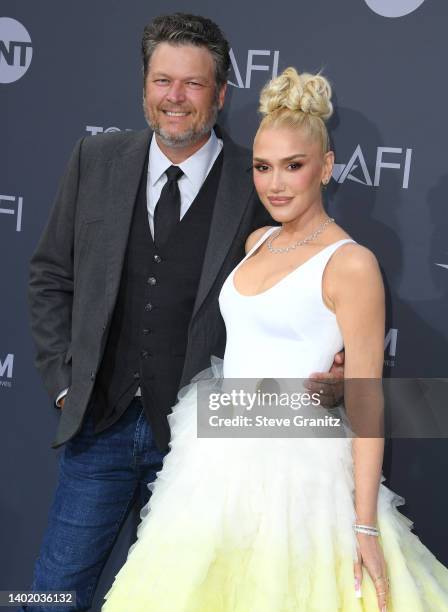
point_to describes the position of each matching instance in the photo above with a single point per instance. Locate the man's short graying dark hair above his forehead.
(185, 29)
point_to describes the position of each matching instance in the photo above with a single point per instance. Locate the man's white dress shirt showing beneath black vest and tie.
(195, 170)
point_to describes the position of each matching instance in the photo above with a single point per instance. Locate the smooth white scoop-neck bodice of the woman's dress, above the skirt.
(285, 331)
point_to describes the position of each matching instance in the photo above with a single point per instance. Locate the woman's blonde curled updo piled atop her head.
(296, 100)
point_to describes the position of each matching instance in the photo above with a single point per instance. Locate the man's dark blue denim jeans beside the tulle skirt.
(100, 477)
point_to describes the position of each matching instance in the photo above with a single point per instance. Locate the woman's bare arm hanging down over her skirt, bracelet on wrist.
(353, 289)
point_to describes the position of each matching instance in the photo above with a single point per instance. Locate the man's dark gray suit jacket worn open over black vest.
(75, 271)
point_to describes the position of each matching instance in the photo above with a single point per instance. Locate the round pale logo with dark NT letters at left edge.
(16, 50)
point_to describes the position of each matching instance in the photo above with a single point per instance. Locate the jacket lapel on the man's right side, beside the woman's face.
(234, 190)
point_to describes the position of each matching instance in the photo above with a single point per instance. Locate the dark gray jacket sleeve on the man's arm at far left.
(52, 282)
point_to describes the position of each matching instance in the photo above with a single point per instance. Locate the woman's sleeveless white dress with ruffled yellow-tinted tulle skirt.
(266, 524)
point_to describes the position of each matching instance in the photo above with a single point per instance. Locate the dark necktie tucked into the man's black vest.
(167, 213)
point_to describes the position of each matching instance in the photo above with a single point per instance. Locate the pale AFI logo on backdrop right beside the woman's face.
(387, 158)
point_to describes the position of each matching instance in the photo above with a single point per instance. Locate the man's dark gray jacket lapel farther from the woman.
(125, 170)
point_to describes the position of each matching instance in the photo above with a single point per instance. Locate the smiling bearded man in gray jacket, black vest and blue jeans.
(124, 288)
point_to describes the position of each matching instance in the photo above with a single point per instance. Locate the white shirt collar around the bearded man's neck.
(195, 167)
